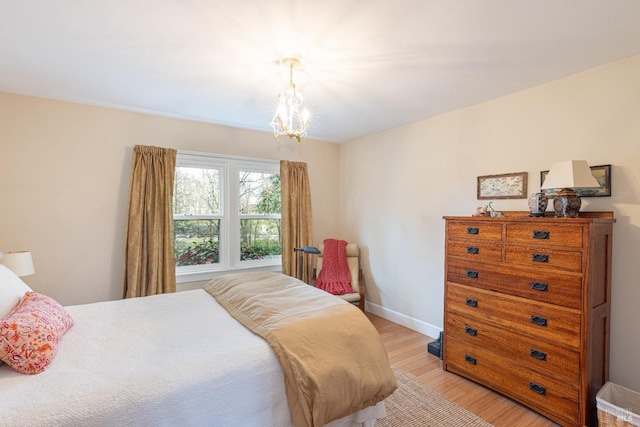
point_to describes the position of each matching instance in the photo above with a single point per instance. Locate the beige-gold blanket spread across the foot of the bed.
(333, 360)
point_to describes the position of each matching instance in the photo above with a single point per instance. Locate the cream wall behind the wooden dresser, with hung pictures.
(396, 186)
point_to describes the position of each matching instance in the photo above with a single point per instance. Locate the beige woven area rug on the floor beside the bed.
(416, 405)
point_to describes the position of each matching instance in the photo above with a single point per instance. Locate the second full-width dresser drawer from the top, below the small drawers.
(549, 322)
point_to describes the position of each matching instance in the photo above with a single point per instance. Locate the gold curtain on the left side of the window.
(149, 255)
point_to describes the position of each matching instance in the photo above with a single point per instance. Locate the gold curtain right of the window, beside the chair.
(296, 216)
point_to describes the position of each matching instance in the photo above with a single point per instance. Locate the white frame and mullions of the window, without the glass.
(229, 216)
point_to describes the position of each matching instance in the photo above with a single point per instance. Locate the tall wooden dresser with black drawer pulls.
(527, 308)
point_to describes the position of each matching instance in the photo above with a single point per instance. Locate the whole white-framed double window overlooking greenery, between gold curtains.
(226, 215)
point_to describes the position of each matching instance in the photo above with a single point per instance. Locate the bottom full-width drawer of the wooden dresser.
(543, 394)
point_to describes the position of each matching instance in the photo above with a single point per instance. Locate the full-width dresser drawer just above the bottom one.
(540, 356)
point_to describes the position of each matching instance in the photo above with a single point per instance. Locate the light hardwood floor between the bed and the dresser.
(407, 351)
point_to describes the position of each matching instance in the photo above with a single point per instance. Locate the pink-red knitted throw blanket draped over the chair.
(335, 276)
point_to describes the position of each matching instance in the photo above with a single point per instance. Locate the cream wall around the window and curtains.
(64, 178)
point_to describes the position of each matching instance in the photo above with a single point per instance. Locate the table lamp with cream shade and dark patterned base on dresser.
(567, 177)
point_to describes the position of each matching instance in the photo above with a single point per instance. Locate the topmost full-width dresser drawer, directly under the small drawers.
(545, 286)
